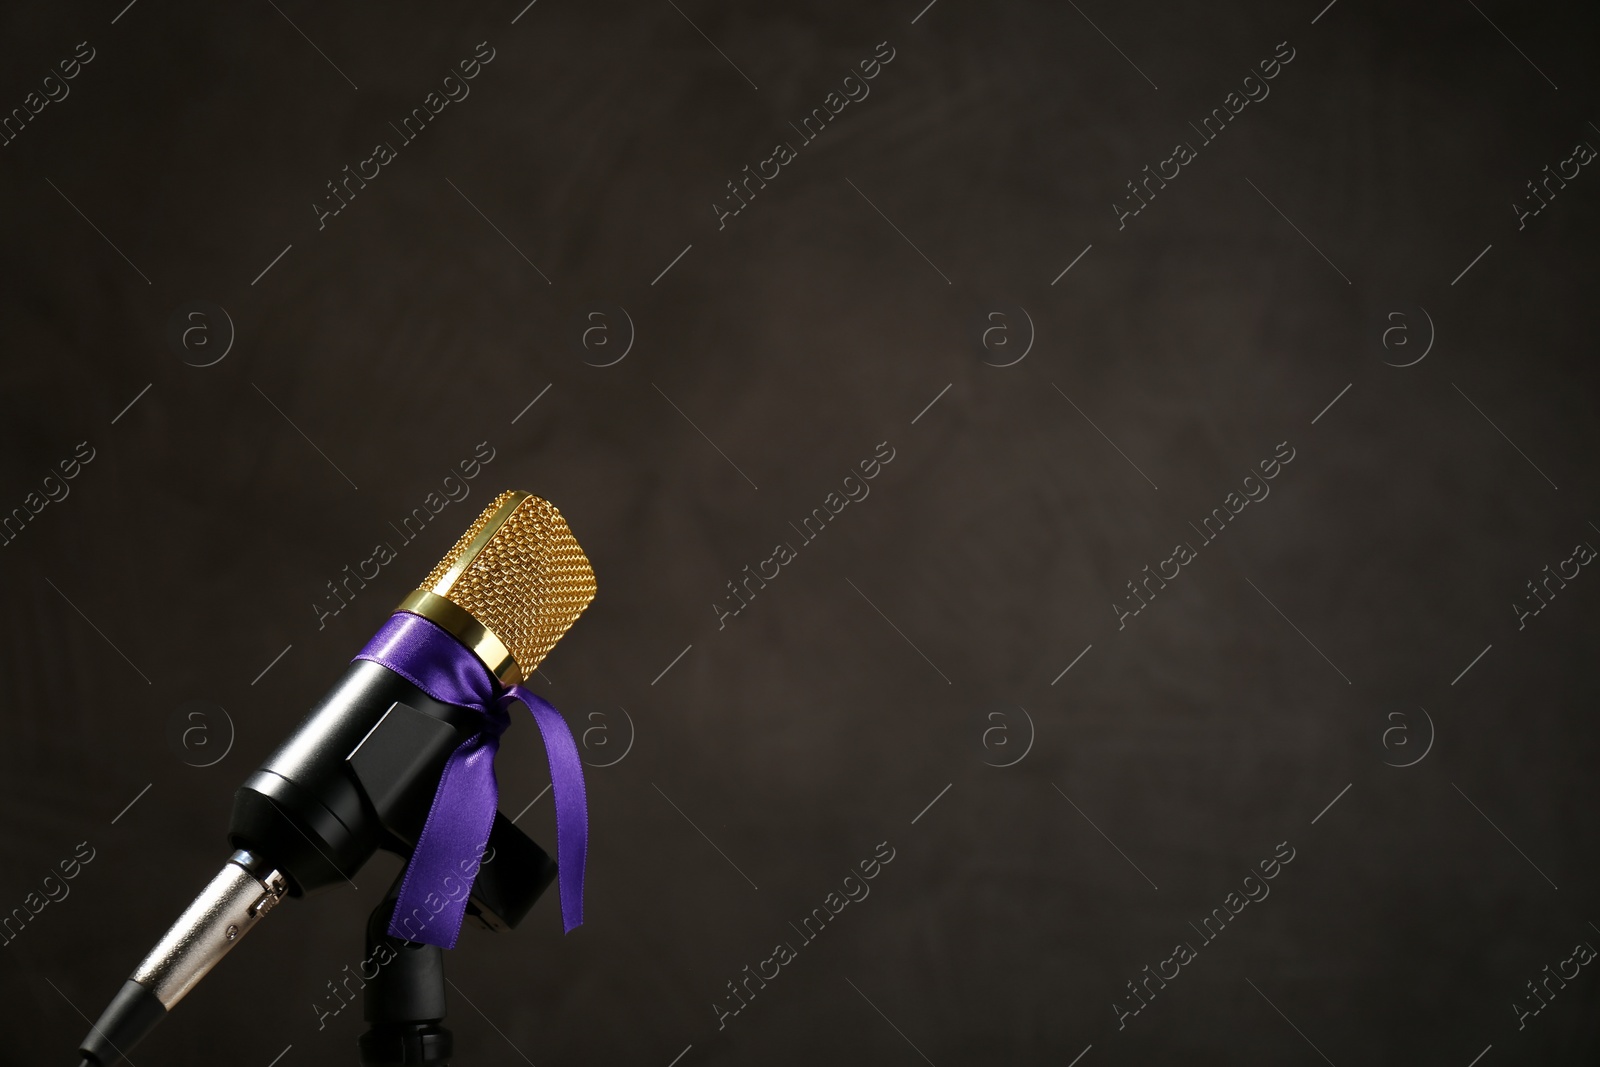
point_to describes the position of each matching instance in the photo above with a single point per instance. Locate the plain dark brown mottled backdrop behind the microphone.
(799, 338)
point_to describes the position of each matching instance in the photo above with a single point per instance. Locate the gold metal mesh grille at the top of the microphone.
(521, 573)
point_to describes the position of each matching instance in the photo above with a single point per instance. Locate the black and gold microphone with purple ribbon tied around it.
(370, 765)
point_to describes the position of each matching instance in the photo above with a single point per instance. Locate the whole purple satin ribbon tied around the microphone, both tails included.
(457, 833)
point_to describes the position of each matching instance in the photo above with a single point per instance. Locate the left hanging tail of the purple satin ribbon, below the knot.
(438, 881)
